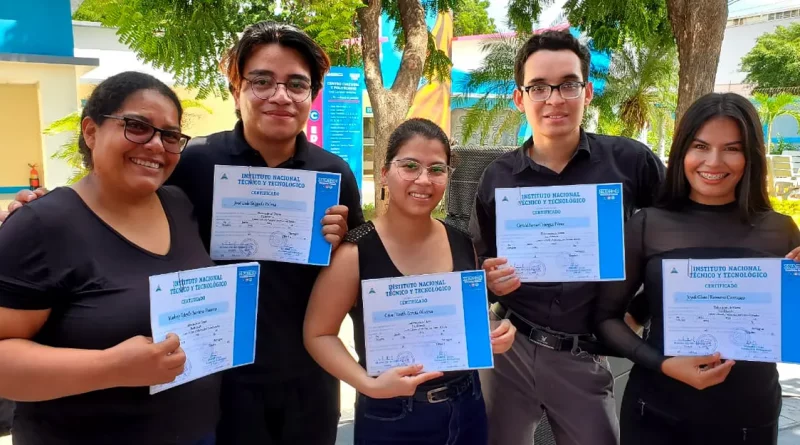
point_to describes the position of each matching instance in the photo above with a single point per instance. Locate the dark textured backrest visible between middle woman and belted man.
(469, 162)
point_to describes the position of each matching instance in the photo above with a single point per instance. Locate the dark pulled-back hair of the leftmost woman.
(108, 97)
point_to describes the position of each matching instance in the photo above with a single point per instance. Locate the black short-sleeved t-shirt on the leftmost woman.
(57, 254)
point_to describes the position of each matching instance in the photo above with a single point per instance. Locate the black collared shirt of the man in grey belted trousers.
(564, 307)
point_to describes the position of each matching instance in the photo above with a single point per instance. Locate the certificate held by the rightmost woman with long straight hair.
(742, 308)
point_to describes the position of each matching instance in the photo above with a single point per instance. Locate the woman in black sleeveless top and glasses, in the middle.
(397, 407)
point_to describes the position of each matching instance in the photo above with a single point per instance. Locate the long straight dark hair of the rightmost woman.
(751, 192)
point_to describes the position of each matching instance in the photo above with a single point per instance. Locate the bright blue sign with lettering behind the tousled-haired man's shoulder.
(342, 117)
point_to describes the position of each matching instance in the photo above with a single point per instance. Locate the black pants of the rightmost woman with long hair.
(643, 422)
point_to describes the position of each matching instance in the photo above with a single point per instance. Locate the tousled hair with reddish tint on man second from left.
(266, 32)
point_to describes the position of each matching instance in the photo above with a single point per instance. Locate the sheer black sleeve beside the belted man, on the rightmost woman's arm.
(615, 297)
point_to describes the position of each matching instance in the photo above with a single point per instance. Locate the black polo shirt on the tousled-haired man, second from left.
(284, 288)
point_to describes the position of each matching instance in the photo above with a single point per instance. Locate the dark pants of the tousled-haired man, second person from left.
(300, 411)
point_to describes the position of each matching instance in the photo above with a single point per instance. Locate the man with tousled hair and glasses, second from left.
(275, 71)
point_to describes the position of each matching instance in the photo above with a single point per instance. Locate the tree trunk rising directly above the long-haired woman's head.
(698, 27)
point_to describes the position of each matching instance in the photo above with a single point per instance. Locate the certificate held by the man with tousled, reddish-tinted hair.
(272, 214)
